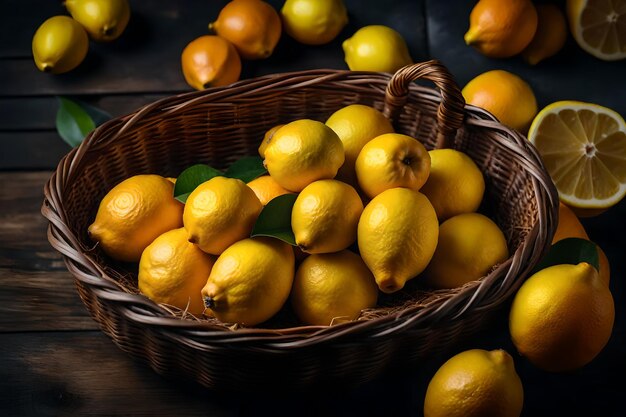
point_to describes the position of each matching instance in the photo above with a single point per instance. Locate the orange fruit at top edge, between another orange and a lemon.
(253, 26)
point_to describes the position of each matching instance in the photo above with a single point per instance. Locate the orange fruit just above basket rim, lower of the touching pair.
(210, 61)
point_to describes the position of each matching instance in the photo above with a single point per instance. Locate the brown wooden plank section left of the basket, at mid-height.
(36, 290)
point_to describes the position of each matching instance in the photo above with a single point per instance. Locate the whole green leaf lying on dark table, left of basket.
(76, 119)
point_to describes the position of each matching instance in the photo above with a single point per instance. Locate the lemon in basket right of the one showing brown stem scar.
(455, 185)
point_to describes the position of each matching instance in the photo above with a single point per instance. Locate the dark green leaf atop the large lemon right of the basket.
(571, 251)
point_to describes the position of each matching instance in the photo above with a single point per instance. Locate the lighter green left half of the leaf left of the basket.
(73, 122)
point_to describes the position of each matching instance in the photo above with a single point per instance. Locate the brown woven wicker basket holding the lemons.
(219, 125)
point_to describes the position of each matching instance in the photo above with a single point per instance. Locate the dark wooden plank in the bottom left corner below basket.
(84, 373)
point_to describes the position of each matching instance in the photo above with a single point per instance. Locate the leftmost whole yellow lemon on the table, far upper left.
(59, 45)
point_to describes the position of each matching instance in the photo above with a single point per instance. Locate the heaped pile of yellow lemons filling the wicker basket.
(373, 209)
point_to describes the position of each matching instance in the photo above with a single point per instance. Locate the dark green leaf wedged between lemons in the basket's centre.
(275, 219)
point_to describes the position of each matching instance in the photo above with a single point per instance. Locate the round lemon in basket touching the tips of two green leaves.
(220, 212)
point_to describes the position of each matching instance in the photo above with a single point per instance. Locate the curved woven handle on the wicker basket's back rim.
(450, 113)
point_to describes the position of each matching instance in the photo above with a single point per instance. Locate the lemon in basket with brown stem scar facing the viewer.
(392, 160)
